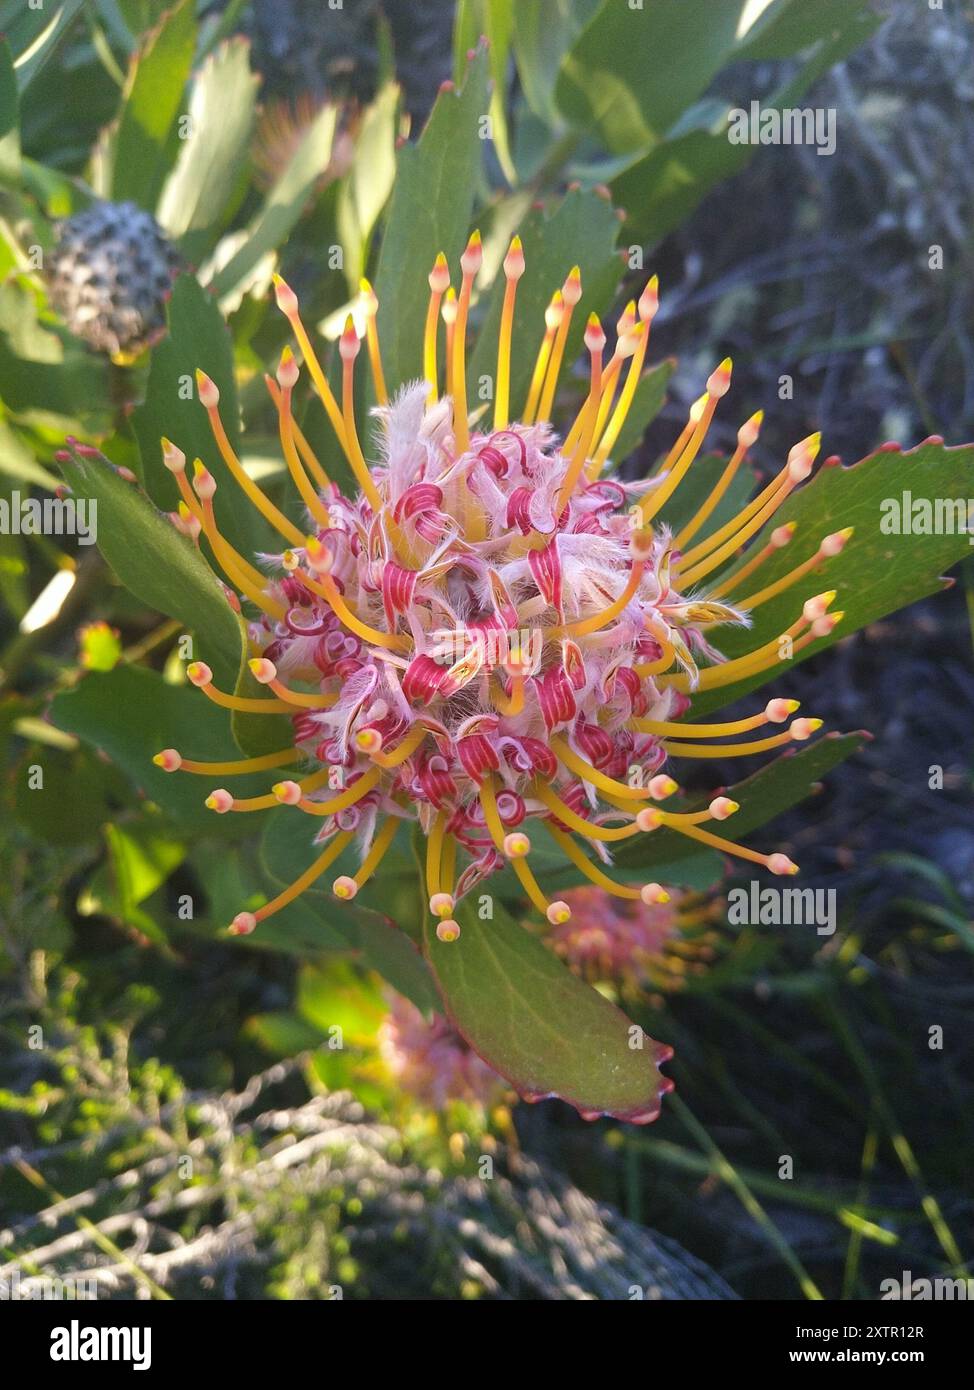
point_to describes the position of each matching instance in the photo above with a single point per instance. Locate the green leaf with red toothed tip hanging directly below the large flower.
(547, 1032)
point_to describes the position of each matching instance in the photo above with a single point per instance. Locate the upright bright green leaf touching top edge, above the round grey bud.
(151, 105)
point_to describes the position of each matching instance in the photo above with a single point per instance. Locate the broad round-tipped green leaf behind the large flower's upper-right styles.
(581, 231)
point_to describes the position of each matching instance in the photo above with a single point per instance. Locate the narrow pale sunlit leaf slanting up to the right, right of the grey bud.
(283, 208)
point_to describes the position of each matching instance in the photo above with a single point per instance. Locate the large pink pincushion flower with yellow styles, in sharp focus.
(493, 632)
